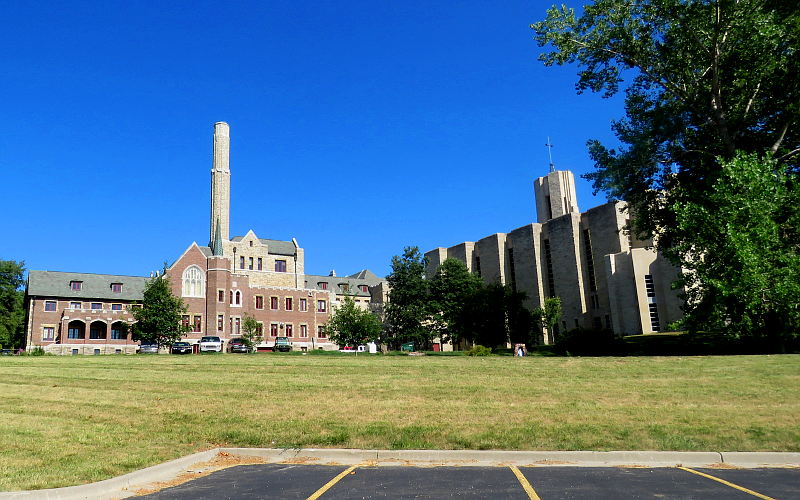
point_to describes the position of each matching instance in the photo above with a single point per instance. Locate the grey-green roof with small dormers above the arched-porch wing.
(95, 286)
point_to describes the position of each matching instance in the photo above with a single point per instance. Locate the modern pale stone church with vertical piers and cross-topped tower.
(604, 278)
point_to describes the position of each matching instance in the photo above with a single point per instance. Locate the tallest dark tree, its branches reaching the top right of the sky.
(709, 78)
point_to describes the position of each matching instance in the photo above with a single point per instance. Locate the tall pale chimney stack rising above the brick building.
(220, 186)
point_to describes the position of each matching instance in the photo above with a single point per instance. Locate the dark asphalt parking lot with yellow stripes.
(290, 481)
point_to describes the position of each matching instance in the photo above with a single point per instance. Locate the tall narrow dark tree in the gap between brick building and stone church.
(406, 311)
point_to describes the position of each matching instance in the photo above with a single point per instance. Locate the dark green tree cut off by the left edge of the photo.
(12, 312)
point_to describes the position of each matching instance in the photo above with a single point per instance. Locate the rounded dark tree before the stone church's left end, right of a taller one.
(451, 290)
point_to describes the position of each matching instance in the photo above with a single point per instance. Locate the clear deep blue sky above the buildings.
(357, 127)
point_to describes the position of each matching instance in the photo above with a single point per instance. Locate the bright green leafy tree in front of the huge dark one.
(756, 213)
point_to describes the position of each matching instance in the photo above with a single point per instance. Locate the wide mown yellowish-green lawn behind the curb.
(71, 420)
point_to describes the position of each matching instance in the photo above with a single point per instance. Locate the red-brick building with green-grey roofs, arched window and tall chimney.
(72, 313)
